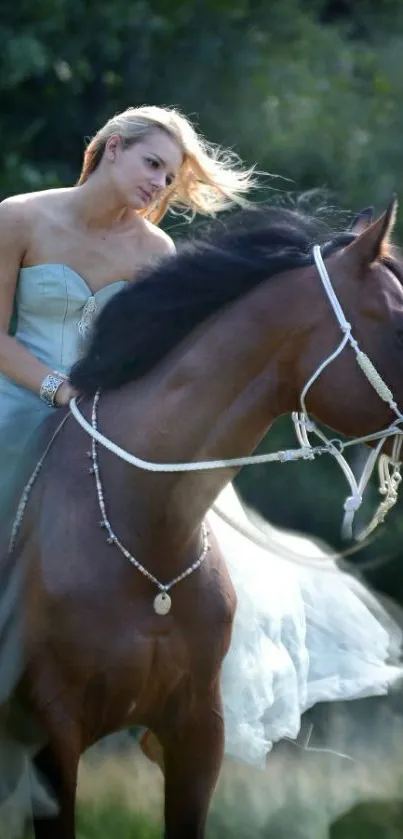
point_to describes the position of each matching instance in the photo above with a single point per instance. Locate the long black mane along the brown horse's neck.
(142, 323)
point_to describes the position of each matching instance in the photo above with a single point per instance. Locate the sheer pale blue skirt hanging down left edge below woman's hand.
(21, 791)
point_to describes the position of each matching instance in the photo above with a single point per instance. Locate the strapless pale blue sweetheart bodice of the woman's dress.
(54, 309)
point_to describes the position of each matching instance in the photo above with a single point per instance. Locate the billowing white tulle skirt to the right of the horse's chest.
(304, 632)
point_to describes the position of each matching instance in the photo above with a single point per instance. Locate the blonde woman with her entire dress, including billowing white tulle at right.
(63, 254)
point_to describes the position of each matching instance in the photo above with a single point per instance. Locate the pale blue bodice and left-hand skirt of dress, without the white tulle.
(53, 308)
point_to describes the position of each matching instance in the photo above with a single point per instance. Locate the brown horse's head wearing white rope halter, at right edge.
(367, 277)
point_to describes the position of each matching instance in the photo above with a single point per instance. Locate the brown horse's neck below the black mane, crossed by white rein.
(215, 400)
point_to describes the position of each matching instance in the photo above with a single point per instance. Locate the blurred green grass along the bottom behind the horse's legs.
(121, 796)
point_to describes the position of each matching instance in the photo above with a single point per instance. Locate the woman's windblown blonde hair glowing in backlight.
(210, 179)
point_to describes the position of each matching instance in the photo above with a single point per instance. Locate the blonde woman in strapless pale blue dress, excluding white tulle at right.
(63, 254)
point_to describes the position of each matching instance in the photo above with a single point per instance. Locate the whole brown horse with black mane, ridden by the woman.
(193, 363)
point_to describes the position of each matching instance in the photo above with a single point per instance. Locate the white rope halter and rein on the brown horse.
(389, 468)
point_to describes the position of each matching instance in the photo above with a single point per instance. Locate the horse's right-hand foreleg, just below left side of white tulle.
(192, 762)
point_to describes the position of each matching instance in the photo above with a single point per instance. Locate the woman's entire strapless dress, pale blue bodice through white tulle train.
(300, 636)
